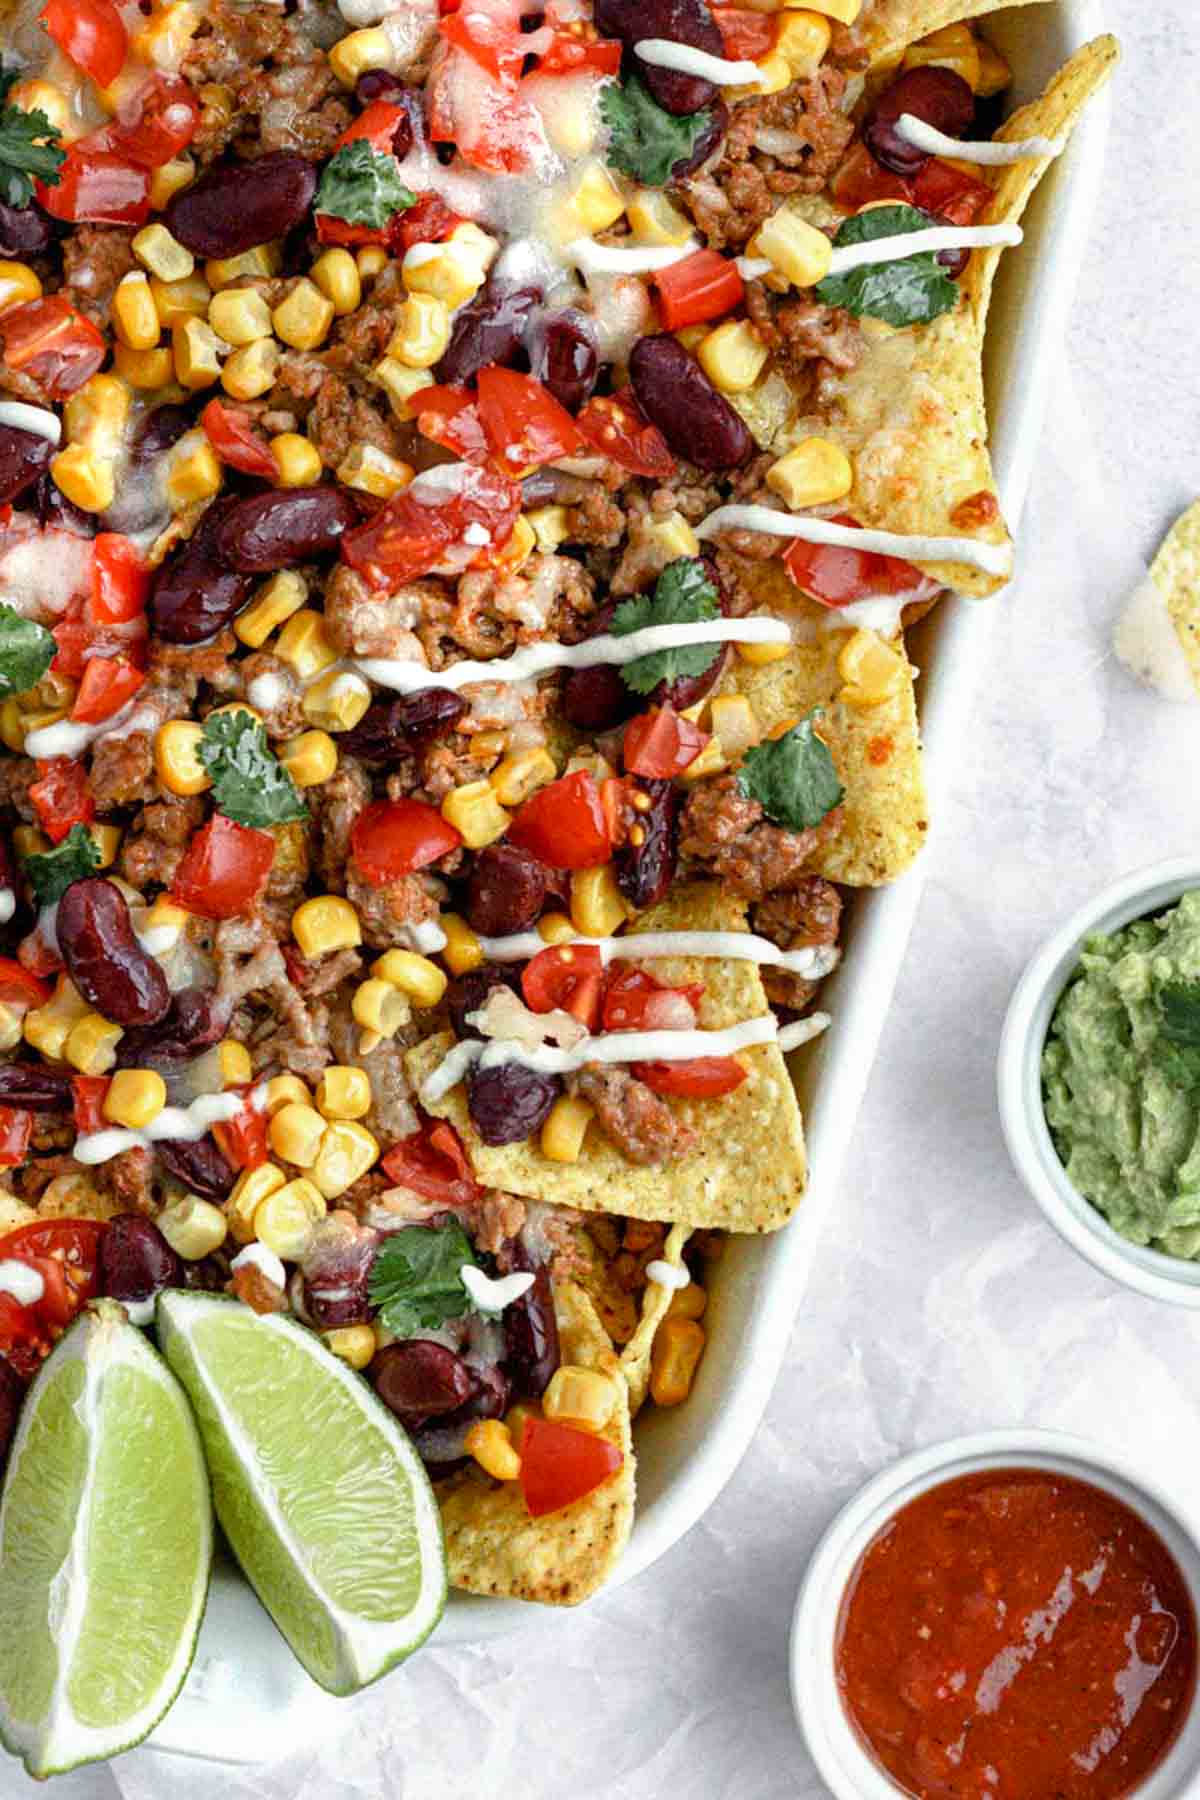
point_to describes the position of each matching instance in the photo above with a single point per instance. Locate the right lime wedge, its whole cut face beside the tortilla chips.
(321, 1495)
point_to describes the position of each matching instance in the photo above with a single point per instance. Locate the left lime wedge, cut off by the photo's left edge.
(105, 1549)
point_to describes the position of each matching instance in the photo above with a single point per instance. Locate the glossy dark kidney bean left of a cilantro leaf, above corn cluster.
(240, 204)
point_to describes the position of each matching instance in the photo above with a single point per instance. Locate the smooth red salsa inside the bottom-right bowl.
(1017, 1635)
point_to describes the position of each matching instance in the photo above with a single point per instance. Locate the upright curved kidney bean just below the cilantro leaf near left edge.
(105, 960)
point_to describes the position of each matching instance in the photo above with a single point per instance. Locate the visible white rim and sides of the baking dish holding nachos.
(247, 1700)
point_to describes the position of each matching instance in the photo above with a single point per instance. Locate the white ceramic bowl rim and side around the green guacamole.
(1019, 1079)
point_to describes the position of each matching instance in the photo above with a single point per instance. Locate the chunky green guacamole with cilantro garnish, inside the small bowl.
(1122, 1079)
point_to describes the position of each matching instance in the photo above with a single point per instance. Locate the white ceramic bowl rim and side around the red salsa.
(845, 1765)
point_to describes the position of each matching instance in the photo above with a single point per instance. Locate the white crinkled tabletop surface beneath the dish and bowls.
(940, 1300)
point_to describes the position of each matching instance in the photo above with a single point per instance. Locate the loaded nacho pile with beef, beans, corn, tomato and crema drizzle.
(467, 478)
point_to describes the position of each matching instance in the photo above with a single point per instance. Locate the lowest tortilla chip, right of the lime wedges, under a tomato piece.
(492, 1543)
